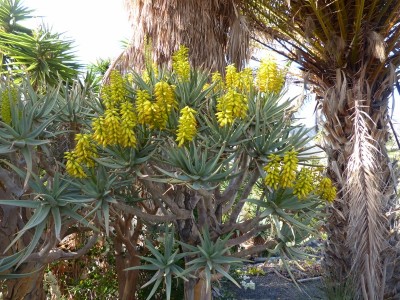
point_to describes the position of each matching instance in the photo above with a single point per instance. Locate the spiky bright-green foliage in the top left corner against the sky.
(41, 55)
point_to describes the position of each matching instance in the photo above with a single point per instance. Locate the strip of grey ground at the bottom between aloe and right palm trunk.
(272, 280)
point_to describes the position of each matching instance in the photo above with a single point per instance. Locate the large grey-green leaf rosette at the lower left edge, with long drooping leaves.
(53, 203)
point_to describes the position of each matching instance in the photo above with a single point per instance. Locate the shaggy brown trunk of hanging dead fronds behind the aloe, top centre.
(214, 32)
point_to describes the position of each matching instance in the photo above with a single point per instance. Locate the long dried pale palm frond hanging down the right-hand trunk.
(366, 229)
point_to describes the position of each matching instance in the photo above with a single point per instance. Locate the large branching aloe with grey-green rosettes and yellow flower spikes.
(160, 147)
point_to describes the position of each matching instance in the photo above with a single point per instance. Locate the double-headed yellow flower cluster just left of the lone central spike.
(155, 114)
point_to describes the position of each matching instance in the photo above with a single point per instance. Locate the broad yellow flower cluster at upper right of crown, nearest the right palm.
(269, 77)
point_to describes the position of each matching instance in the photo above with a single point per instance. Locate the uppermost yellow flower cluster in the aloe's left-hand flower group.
(115, 91)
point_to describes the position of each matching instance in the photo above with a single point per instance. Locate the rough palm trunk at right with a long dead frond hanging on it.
(358, 255)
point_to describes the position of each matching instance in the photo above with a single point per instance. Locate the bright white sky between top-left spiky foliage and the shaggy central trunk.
(96, 26)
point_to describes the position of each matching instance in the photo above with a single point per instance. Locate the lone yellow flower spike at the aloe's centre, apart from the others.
(187, 126)
